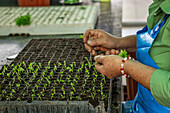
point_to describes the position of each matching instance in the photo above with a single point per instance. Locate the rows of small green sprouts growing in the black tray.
(38, 80)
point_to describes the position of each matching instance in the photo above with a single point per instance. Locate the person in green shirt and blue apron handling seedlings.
(151, 69)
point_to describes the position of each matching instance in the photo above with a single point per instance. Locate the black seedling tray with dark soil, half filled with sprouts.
(57, 76)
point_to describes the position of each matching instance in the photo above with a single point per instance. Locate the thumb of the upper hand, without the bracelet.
(95, 42)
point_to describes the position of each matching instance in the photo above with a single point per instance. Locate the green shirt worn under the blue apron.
(160, 52)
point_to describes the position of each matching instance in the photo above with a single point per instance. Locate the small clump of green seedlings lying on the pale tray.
(23, 20)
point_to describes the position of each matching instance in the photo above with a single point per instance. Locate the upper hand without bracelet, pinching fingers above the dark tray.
(100, 40)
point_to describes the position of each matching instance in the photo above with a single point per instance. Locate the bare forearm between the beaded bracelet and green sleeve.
(139, 72)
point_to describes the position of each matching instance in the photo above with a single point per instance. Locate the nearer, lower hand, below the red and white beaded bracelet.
(108, 65)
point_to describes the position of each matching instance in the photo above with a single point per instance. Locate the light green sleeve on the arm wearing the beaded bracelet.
(160, 86)
